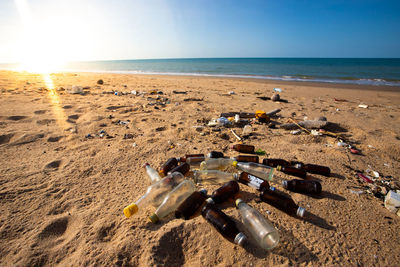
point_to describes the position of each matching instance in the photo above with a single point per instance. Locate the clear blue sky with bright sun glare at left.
(71, 30)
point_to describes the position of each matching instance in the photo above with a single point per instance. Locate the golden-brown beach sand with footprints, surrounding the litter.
(62, 194)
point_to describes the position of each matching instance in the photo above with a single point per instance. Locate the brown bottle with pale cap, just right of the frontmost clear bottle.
(281, 202)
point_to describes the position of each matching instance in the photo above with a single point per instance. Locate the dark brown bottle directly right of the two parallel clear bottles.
(192, 205)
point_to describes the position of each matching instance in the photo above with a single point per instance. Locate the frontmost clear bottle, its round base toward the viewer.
(259, 227)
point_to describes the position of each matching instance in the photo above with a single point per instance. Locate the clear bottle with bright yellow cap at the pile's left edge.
(155, 193)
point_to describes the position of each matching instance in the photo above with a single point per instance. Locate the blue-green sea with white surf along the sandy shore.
(364, 71)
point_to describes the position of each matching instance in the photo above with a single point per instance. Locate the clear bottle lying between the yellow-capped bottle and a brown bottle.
(173, 200)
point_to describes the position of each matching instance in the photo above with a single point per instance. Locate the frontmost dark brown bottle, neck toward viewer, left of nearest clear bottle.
(224, 225)
